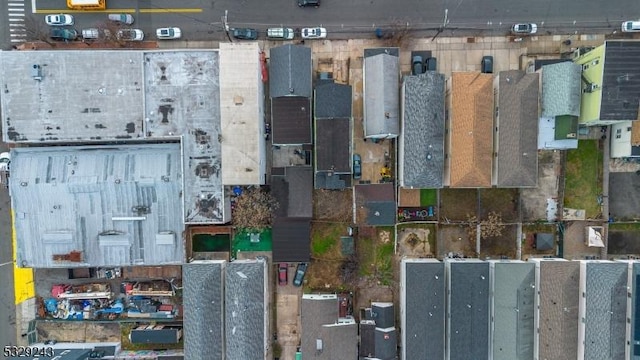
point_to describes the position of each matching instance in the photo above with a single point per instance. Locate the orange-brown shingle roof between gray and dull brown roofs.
(471, 129)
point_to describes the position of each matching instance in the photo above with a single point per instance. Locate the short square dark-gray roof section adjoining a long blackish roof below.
(332, 100)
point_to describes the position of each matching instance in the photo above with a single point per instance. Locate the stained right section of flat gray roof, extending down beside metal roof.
(182, 98)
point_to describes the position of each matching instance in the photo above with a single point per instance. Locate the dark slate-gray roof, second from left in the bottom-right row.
(468, 322)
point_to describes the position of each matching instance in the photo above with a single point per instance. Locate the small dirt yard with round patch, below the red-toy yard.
(416, 241)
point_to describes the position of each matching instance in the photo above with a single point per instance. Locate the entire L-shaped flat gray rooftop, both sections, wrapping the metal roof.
(89, 96)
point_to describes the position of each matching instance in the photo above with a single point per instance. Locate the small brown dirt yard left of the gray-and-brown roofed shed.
(333, 205)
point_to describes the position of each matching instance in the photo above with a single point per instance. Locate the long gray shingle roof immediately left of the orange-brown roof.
(422, 139)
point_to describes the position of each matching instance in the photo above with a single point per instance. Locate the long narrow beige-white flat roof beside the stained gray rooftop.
(242, 114)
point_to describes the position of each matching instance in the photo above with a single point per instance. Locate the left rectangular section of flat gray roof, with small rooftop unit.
(83, 95)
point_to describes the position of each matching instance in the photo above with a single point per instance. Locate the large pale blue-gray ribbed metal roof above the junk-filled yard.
(117, 205)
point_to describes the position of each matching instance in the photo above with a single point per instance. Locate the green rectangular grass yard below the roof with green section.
(583, 178)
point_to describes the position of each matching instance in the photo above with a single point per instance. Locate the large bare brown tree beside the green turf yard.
(254, 209)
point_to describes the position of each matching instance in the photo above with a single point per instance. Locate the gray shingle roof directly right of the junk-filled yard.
(203, 308)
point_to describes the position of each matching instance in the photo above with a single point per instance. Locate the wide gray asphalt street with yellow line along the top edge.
(202, 19)
